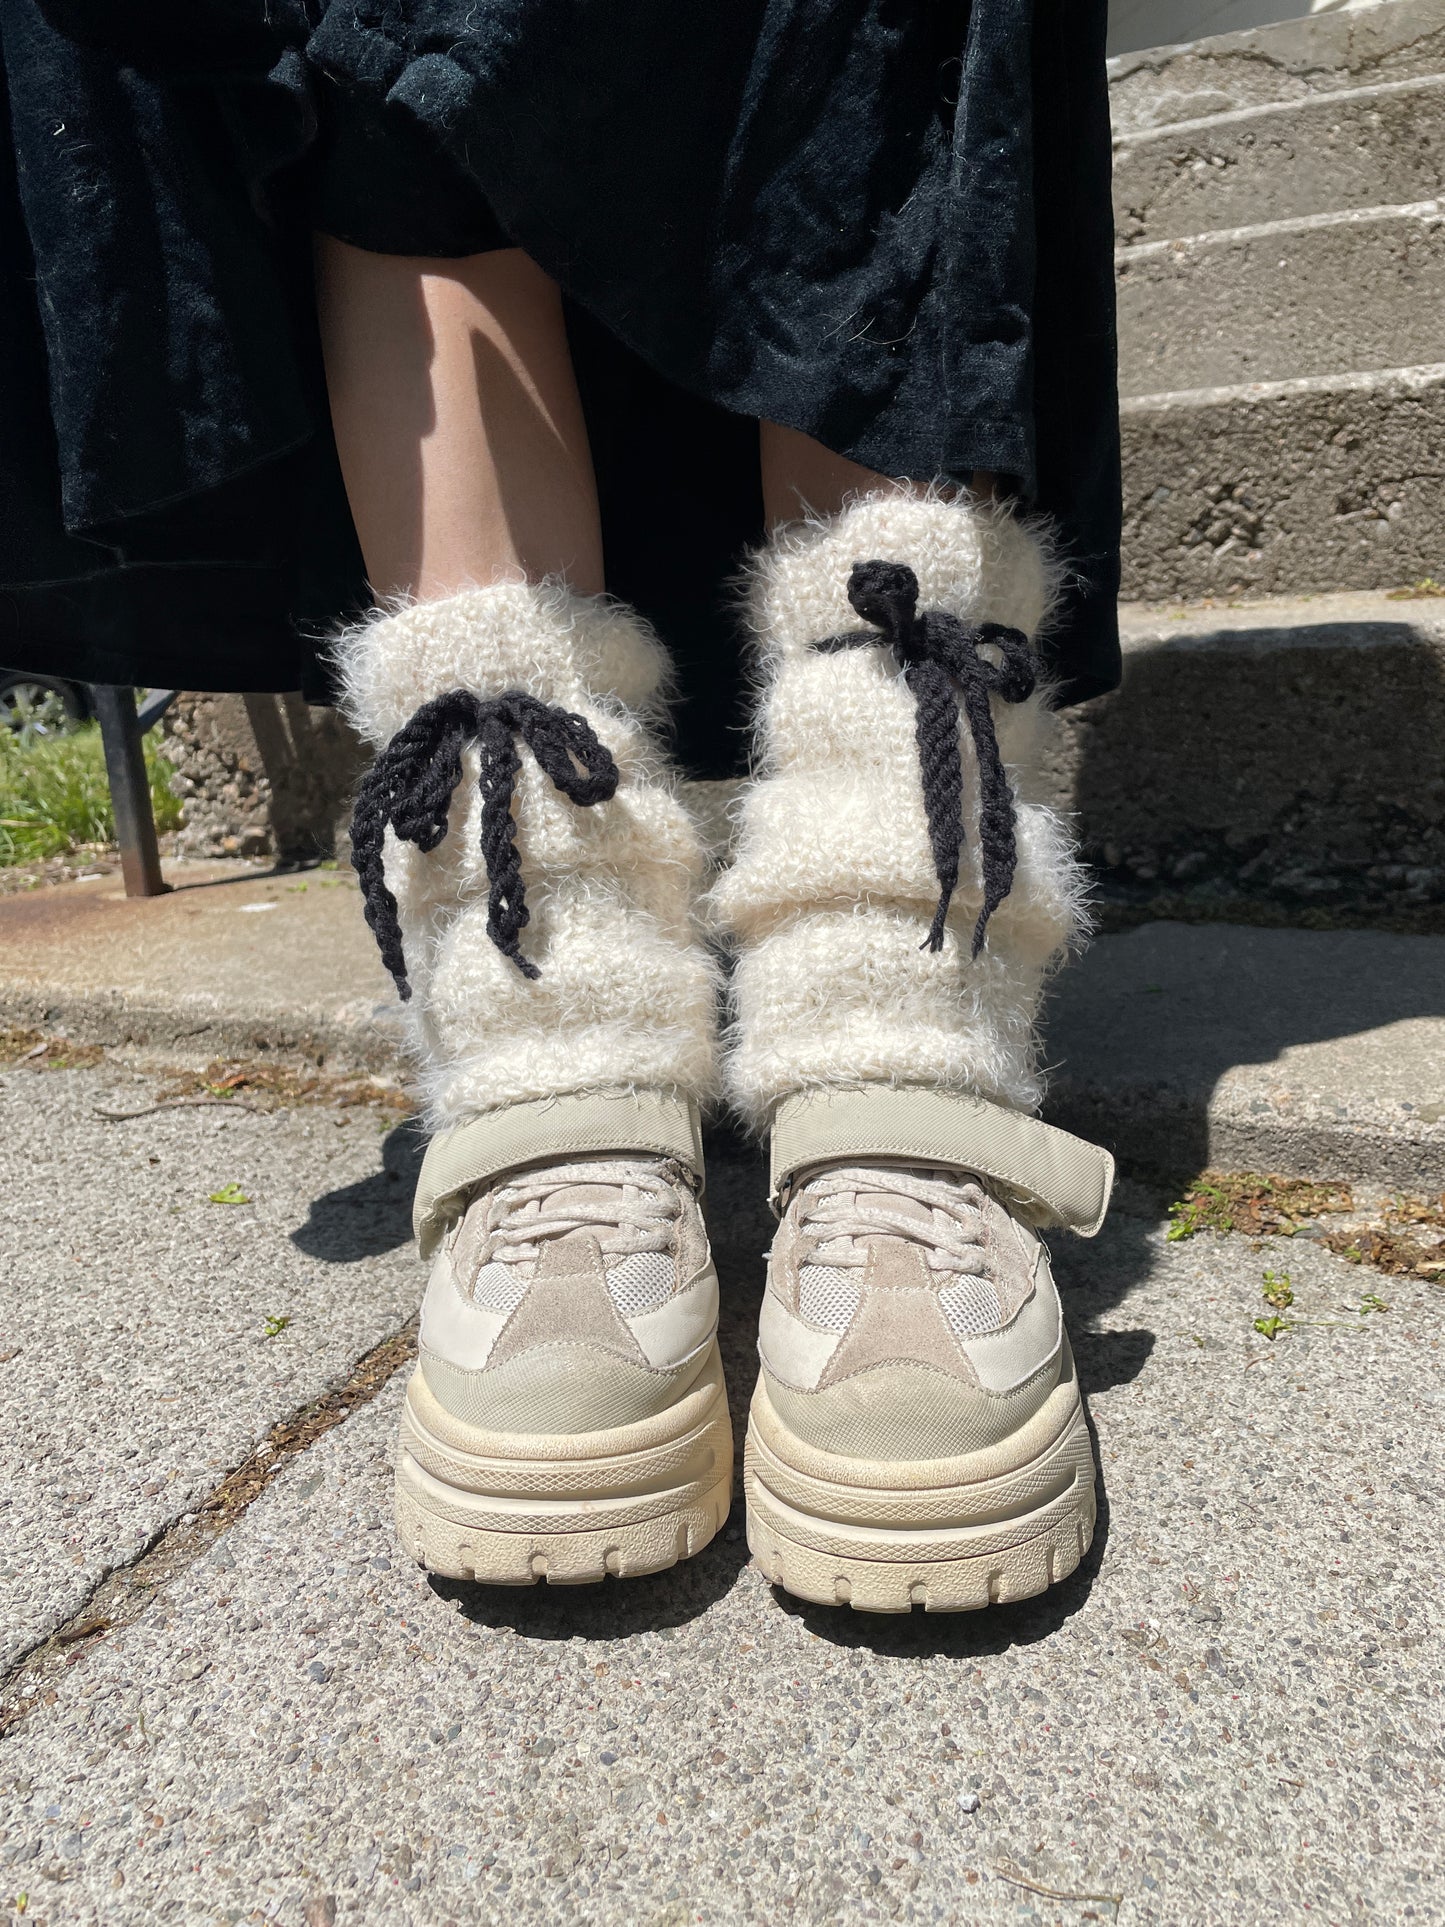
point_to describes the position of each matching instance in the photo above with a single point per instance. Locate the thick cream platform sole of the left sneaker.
(512, 1510)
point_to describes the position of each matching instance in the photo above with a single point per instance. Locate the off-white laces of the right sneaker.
(845, 1209)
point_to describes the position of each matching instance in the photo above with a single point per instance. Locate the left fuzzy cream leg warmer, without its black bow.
(625, 997)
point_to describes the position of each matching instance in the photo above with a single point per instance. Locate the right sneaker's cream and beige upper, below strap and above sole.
(908, 1315)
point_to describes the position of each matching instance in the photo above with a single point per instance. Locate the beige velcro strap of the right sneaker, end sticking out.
(1043, 1173)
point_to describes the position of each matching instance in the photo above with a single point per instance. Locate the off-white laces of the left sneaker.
(631, 1207)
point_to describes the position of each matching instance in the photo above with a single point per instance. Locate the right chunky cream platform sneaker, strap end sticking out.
(918, 1437)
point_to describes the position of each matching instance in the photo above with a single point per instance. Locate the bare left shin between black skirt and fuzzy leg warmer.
(458, 421)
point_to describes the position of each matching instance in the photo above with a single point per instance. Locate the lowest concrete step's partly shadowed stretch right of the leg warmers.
(1257, 1051)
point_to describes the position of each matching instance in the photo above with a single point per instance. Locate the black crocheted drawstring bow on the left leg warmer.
(411, 787)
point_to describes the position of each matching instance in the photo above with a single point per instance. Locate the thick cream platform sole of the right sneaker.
(947, 1535)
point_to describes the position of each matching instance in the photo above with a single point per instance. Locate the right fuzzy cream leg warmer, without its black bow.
(835, 885)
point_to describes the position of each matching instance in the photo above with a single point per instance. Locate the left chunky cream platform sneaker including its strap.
(567, 1417)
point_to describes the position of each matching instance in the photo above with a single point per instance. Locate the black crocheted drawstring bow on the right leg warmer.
(941, 658)
